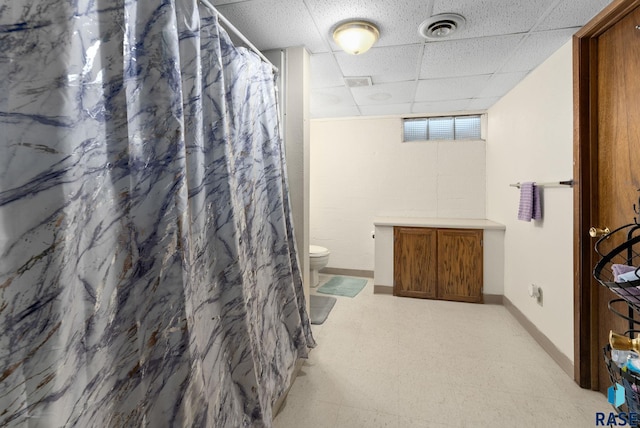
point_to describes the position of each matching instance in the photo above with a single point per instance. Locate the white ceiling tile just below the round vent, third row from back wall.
(466, 57)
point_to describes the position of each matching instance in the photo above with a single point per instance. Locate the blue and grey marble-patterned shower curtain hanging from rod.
(148, 271)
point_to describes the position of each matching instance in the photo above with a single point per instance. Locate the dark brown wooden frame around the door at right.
(585, 196)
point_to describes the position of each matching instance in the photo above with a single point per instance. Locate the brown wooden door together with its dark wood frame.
(607, 159)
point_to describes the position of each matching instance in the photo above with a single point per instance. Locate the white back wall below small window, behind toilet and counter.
(360, 169)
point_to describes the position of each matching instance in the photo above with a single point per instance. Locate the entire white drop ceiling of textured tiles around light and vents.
(501, 42)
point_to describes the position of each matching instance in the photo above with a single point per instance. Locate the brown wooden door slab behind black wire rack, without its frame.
(618, 150)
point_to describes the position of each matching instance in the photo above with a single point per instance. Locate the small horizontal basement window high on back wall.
(442, 128)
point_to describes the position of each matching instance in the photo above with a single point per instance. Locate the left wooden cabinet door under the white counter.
(415, 262)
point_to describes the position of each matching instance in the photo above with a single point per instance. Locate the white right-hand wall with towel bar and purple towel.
(530, 138)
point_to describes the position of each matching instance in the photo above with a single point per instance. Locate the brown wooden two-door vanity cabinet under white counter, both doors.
(436, 263)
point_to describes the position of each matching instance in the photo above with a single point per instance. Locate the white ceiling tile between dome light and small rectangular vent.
(384, 64)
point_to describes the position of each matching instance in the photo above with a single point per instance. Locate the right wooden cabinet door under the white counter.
(460, 265)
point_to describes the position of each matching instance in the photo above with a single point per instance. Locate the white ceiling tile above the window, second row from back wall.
(456, 88)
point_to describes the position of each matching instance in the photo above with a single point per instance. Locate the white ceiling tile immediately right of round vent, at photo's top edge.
(491, 17)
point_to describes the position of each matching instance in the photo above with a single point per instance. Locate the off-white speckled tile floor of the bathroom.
(384, 361)
